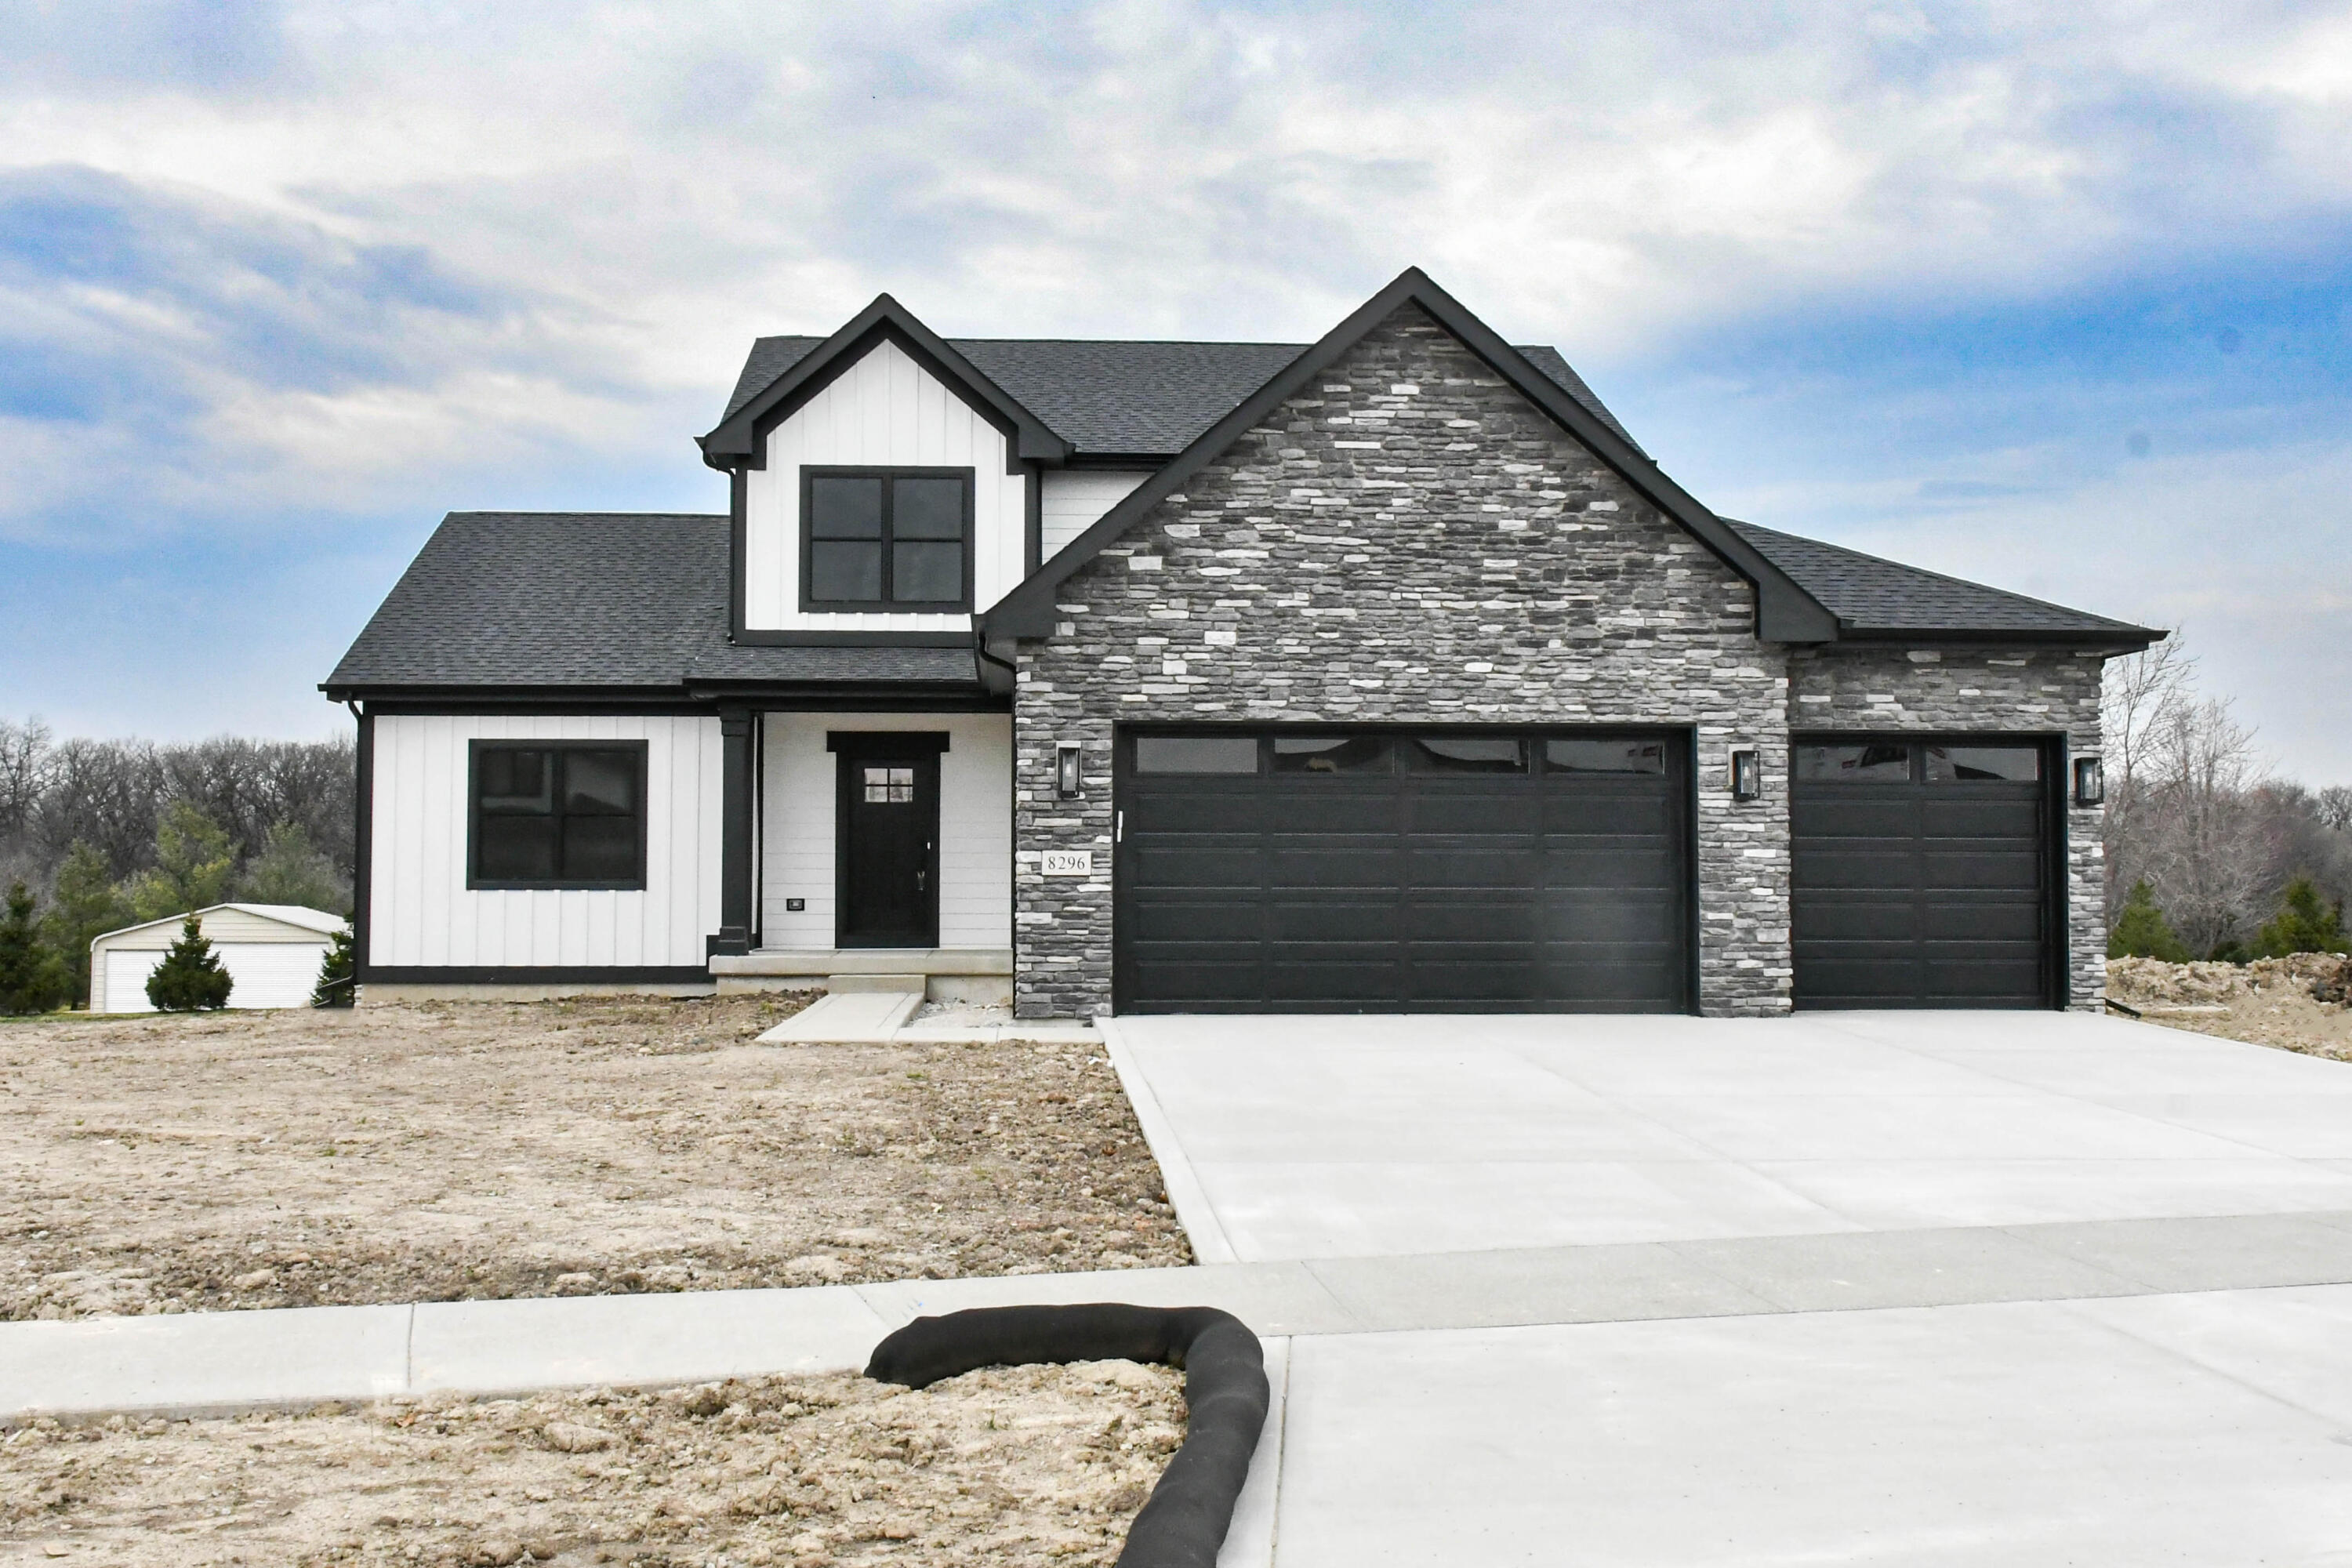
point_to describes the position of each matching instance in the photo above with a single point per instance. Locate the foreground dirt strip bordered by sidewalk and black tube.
(1015, 1466)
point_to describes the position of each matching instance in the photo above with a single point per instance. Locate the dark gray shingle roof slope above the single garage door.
(1878, 596)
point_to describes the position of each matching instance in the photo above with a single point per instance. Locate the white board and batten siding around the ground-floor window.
(422, 913)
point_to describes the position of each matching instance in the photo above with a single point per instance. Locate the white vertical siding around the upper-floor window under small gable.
(886, 410)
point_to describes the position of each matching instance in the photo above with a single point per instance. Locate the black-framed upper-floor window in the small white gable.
(886, 540)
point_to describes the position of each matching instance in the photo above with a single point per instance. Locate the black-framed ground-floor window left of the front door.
(556, 815)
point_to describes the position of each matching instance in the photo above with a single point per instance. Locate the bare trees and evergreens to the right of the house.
(2210, 857)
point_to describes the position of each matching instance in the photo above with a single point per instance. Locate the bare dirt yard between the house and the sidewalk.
(566, 1148)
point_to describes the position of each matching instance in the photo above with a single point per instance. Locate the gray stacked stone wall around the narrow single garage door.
(1982, 690)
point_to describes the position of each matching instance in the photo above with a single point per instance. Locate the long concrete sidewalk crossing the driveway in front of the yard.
(208, 1362)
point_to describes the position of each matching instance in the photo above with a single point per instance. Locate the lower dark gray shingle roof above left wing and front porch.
(582, 601)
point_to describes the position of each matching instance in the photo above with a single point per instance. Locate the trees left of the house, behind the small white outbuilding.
(112, 833)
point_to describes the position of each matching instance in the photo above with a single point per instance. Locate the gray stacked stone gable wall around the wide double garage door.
(1408, 540)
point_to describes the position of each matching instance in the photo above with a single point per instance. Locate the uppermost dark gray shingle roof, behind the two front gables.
(1123, 398)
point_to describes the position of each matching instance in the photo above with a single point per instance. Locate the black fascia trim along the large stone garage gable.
(1784, 610)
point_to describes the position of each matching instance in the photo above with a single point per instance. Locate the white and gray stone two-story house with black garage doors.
(1375, 674)
